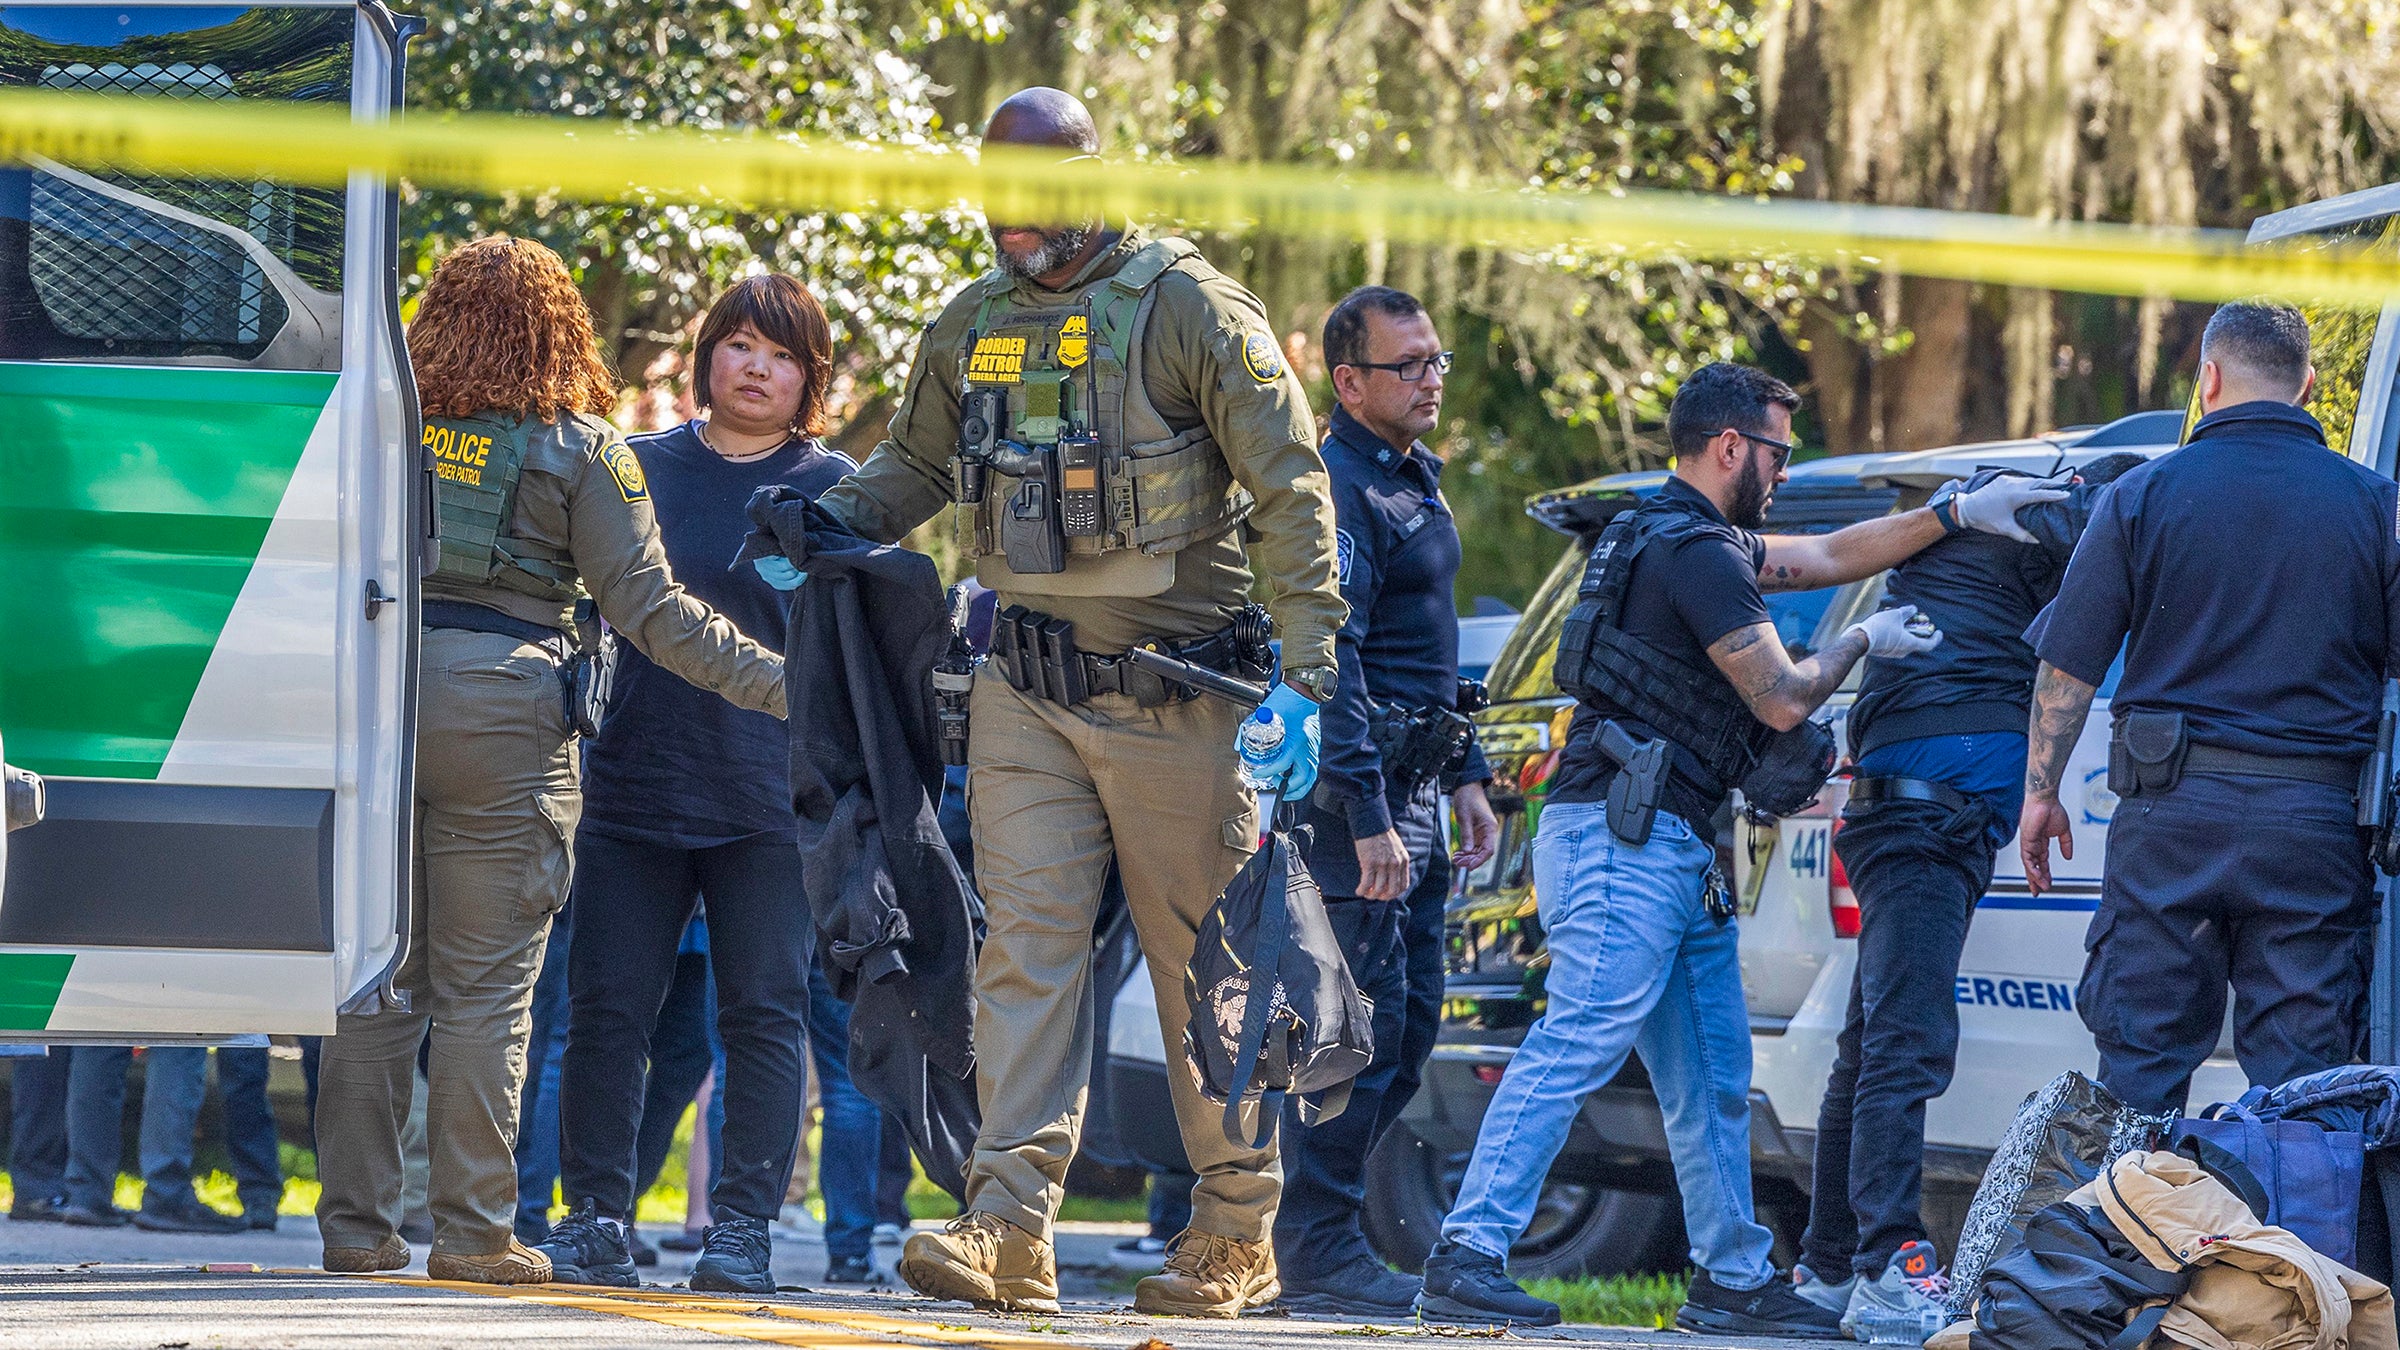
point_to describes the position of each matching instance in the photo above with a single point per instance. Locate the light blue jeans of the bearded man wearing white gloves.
(1636, 964)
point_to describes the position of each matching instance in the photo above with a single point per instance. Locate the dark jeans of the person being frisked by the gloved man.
(1919, 873)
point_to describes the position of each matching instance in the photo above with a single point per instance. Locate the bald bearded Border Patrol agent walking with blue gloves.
(1110, 412)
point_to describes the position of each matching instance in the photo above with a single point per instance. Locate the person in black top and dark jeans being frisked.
(1940, 746)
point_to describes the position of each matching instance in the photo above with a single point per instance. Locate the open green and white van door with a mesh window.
(210, 530)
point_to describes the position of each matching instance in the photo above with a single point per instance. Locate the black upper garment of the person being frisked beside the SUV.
(1981, 590)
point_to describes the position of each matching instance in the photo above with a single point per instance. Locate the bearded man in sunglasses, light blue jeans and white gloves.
(1684, 688)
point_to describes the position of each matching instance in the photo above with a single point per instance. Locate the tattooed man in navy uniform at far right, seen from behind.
(2255, 585)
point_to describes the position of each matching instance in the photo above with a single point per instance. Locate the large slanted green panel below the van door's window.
(133, 503)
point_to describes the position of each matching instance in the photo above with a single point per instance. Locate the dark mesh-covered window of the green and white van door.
(131, 268)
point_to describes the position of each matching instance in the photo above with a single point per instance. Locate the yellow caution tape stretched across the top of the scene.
(596, 160)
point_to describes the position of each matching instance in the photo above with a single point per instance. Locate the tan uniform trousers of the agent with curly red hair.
(498, 806)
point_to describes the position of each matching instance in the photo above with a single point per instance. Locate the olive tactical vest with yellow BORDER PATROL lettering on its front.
(1079, 369)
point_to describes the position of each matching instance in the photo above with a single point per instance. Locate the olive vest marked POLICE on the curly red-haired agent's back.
(476, 470)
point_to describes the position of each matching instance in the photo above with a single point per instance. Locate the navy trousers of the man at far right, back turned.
(2260, 883)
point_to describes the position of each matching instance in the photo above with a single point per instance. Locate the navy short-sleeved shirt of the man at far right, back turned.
(2255, 580)
